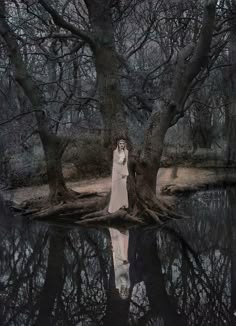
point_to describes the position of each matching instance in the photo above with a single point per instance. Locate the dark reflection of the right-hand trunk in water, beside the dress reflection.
(148, 265)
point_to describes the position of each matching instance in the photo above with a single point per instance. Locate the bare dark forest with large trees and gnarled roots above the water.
(76, 76)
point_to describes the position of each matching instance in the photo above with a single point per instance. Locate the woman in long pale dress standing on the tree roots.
(119, 194)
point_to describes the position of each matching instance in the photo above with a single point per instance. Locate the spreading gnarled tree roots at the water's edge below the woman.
(91, 209)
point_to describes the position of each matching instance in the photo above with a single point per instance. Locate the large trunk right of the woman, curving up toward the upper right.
(148, 160)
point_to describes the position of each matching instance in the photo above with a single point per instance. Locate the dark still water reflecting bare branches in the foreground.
(183, 274)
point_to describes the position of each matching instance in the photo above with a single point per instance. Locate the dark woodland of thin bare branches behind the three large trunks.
(148, 37)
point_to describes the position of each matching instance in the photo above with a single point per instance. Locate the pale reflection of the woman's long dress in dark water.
(120, 241)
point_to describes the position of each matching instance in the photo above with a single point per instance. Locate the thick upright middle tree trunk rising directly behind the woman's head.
(107, 68)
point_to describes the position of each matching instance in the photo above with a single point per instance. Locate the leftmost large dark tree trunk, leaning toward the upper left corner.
(53, 147)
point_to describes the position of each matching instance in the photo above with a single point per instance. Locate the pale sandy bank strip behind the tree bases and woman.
(170, 181)
